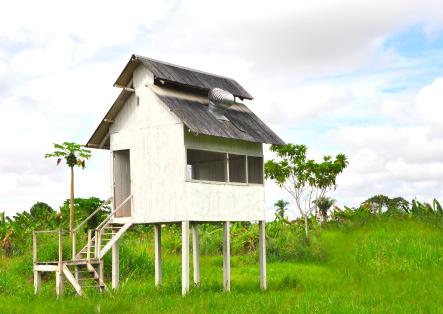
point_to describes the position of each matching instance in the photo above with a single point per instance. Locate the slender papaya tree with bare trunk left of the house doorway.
(74, 155)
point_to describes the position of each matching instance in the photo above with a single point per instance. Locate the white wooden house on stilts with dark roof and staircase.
(184, 149)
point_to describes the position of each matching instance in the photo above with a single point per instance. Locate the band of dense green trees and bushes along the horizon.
(286, 238)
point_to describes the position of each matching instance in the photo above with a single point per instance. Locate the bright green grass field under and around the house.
(385, 265)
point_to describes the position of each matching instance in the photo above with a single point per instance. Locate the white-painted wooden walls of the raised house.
(157, 141)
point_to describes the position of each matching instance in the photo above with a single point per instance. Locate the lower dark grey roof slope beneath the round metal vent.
(243, 124)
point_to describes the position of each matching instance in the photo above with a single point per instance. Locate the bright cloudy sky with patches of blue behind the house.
(363, 78)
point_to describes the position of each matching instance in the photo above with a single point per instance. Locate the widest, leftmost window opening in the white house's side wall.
(206, 166)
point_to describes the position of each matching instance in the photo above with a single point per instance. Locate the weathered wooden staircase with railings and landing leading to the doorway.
(84, 271)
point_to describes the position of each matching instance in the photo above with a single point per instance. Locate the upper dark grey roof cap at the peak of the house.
(180, 76)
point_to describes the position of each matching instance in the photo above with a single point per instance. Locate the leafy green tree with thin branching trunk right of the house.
(304, 179)
